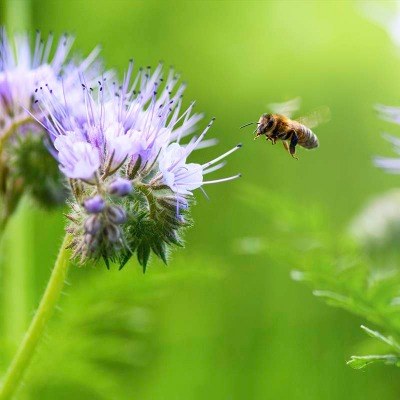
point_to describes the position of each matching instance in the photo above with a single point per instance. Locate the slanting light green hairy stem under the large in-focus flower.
(32, 337)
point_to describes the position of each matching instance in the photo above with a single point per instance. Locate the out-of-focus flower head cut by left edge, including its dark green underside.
(23, 70)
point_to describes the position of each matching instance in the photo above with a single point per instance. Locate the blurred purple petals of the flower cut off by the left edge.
(26, 72)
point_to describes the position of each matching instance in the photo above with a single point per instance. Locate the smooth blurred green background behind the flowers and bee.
(224, 320)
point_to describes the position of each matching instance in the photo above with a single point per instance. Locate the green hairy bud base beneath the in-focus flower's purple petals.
(151, 223)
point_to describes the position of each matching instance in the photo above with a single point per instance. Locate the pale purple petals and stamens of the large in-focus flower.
(125, 128)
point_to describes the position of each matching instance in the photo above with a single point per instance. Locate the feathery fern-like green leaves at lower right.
(340, 272)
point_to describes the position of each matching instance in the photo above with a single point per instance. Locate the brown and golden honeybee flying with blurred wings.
(279, 126)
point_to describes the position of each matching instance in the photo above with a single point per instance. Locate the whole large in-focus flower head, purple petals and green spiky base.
(128, 146)
